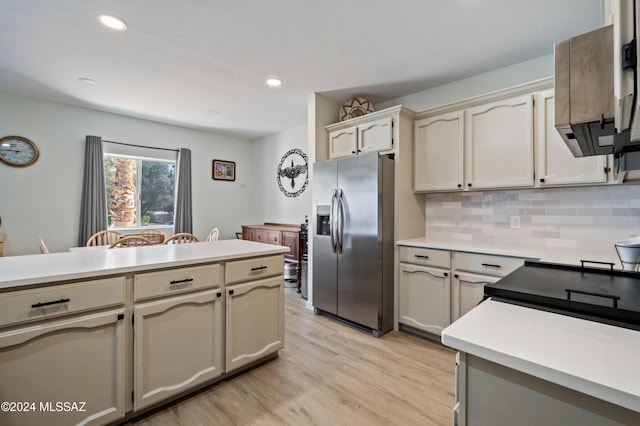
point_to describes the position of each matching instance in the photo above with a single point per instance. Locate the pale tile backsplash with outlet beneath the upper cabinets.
(585, 217)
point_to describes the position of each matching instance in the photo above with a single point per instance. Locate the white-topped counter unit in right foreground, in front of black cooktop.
(519, 365)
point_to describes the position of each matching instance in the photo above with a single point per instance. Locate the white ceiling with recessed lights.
(179, 59)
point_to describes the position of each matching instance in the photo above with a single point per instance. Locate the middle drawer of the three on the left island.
(164, 283)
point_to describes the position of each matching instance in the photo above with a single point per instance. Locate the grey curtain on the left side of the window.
(93, 207)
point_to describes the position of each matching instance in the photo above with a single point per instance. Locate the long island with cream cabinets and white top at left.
(101, 336)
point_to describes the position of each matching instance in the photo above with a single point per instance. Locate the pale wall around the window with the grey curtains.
(44, 199)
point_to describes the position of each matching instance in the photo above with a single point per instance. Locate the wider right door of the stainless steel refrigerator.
(359, 251)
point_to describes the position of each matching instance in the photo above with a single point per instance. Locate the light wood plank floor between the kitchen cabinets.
(329, 374)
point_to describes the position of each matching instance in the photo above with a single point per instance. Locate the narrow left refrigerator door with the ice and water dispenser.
(325, 261)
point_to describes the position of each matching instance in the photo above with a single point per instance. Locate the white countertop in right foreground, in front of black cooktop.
(592, 358)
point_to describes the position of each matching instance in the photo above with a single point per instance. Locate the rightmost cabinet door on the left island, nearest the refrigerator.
(255, 321)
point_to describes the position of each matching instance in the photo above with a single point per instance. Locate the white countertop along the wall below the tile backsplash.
(570, 256)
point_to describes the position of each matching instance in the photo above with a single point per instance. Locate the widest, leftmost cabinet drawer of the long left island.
(47, 302)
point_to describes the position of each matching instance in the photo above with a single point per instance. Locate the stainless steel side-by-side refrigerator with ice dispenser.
(353, 240)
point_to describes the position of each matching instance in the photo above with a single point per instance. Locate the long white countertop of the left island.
(20, 271)
